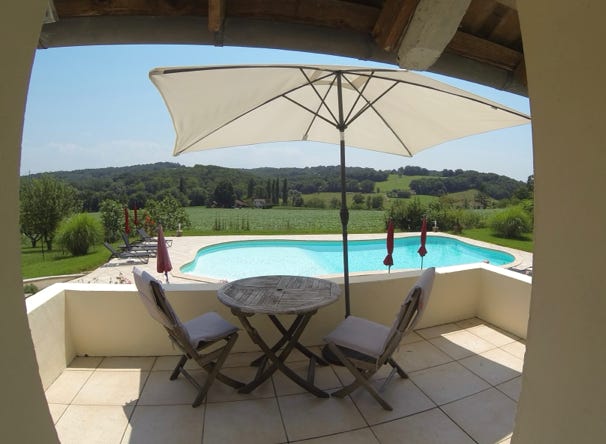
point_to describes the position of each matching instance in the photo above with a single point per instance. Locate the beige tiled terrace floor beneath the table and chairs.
(463, 388)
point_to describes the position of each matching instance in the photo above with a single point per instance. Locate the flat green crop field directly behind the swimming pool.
(274, 221)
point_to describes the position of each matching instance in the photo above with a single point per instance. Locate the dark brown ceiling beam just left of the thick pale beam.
(393, 22)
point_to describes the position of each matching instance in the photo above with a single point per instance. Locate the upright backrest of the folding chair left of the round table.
(153, 297)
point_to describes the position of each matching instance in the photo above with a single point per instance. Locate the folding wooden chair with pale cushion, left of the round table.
(191, 337)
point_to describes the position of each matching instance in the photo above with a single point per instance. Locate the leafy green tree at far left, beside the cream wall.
(45, 201)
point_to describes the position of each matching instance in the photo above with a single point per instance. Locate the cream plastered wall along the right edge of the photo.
(563, 396)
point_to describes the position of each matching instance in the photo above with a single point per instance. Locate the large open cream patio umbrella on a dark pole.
(392, 111)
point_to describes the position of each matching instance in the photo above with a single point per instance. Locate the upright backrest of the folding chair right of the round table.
(411, 310)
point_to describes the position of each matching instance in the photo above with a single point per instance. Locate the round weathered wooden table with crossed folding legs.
(280, 295)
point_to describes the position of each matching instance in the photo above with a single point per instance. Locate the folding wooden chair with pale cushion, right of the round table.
(363, 346)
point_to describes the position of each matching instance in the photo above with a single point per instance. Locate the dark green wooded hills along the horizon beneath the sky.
(206, 185)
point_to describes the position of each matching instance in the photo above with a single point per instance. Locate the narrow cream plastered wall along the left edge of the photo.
(24, 414)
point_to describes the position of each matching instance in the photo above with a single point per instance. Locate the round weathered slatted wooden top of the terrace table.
(278, 294)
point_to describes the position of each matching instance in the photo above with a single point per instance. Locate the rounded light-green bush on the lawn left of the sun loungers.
(78, 233)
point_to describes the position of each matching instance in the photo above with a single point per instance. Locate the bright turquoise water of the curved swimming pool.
(240, 259)
